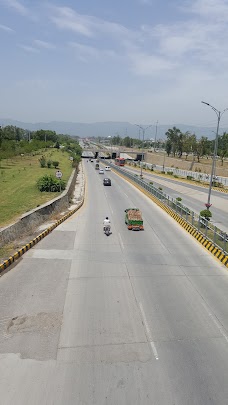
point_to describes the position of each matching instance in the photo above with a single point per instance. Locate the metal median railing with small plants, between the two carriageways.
(212, 234)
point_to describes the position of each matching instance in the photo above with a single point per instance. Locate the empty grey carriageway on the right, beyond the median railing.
(193, 196)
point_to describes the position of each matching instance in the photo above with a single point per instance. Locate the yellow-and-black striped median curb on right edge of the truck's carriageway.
(189, 228)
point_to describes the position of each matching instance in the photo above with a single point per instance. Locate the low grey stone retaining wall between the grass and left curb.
(37, 216)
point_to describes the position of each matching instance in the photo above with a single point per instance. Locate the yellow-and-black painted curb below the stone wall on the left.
(25, 248)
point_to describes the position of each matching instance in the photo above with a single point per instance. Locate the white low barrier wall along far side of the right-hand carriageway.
(197, 176)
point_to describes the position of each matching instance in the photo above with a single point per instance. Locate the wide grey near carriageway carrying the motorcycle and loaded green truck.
(133, 318)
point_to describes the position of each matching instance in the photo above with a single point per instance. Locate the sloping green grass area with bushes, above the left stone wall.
(18, 177)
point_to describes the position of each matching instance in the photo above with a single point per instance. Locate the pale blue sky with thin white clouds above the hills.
(138, 61)
